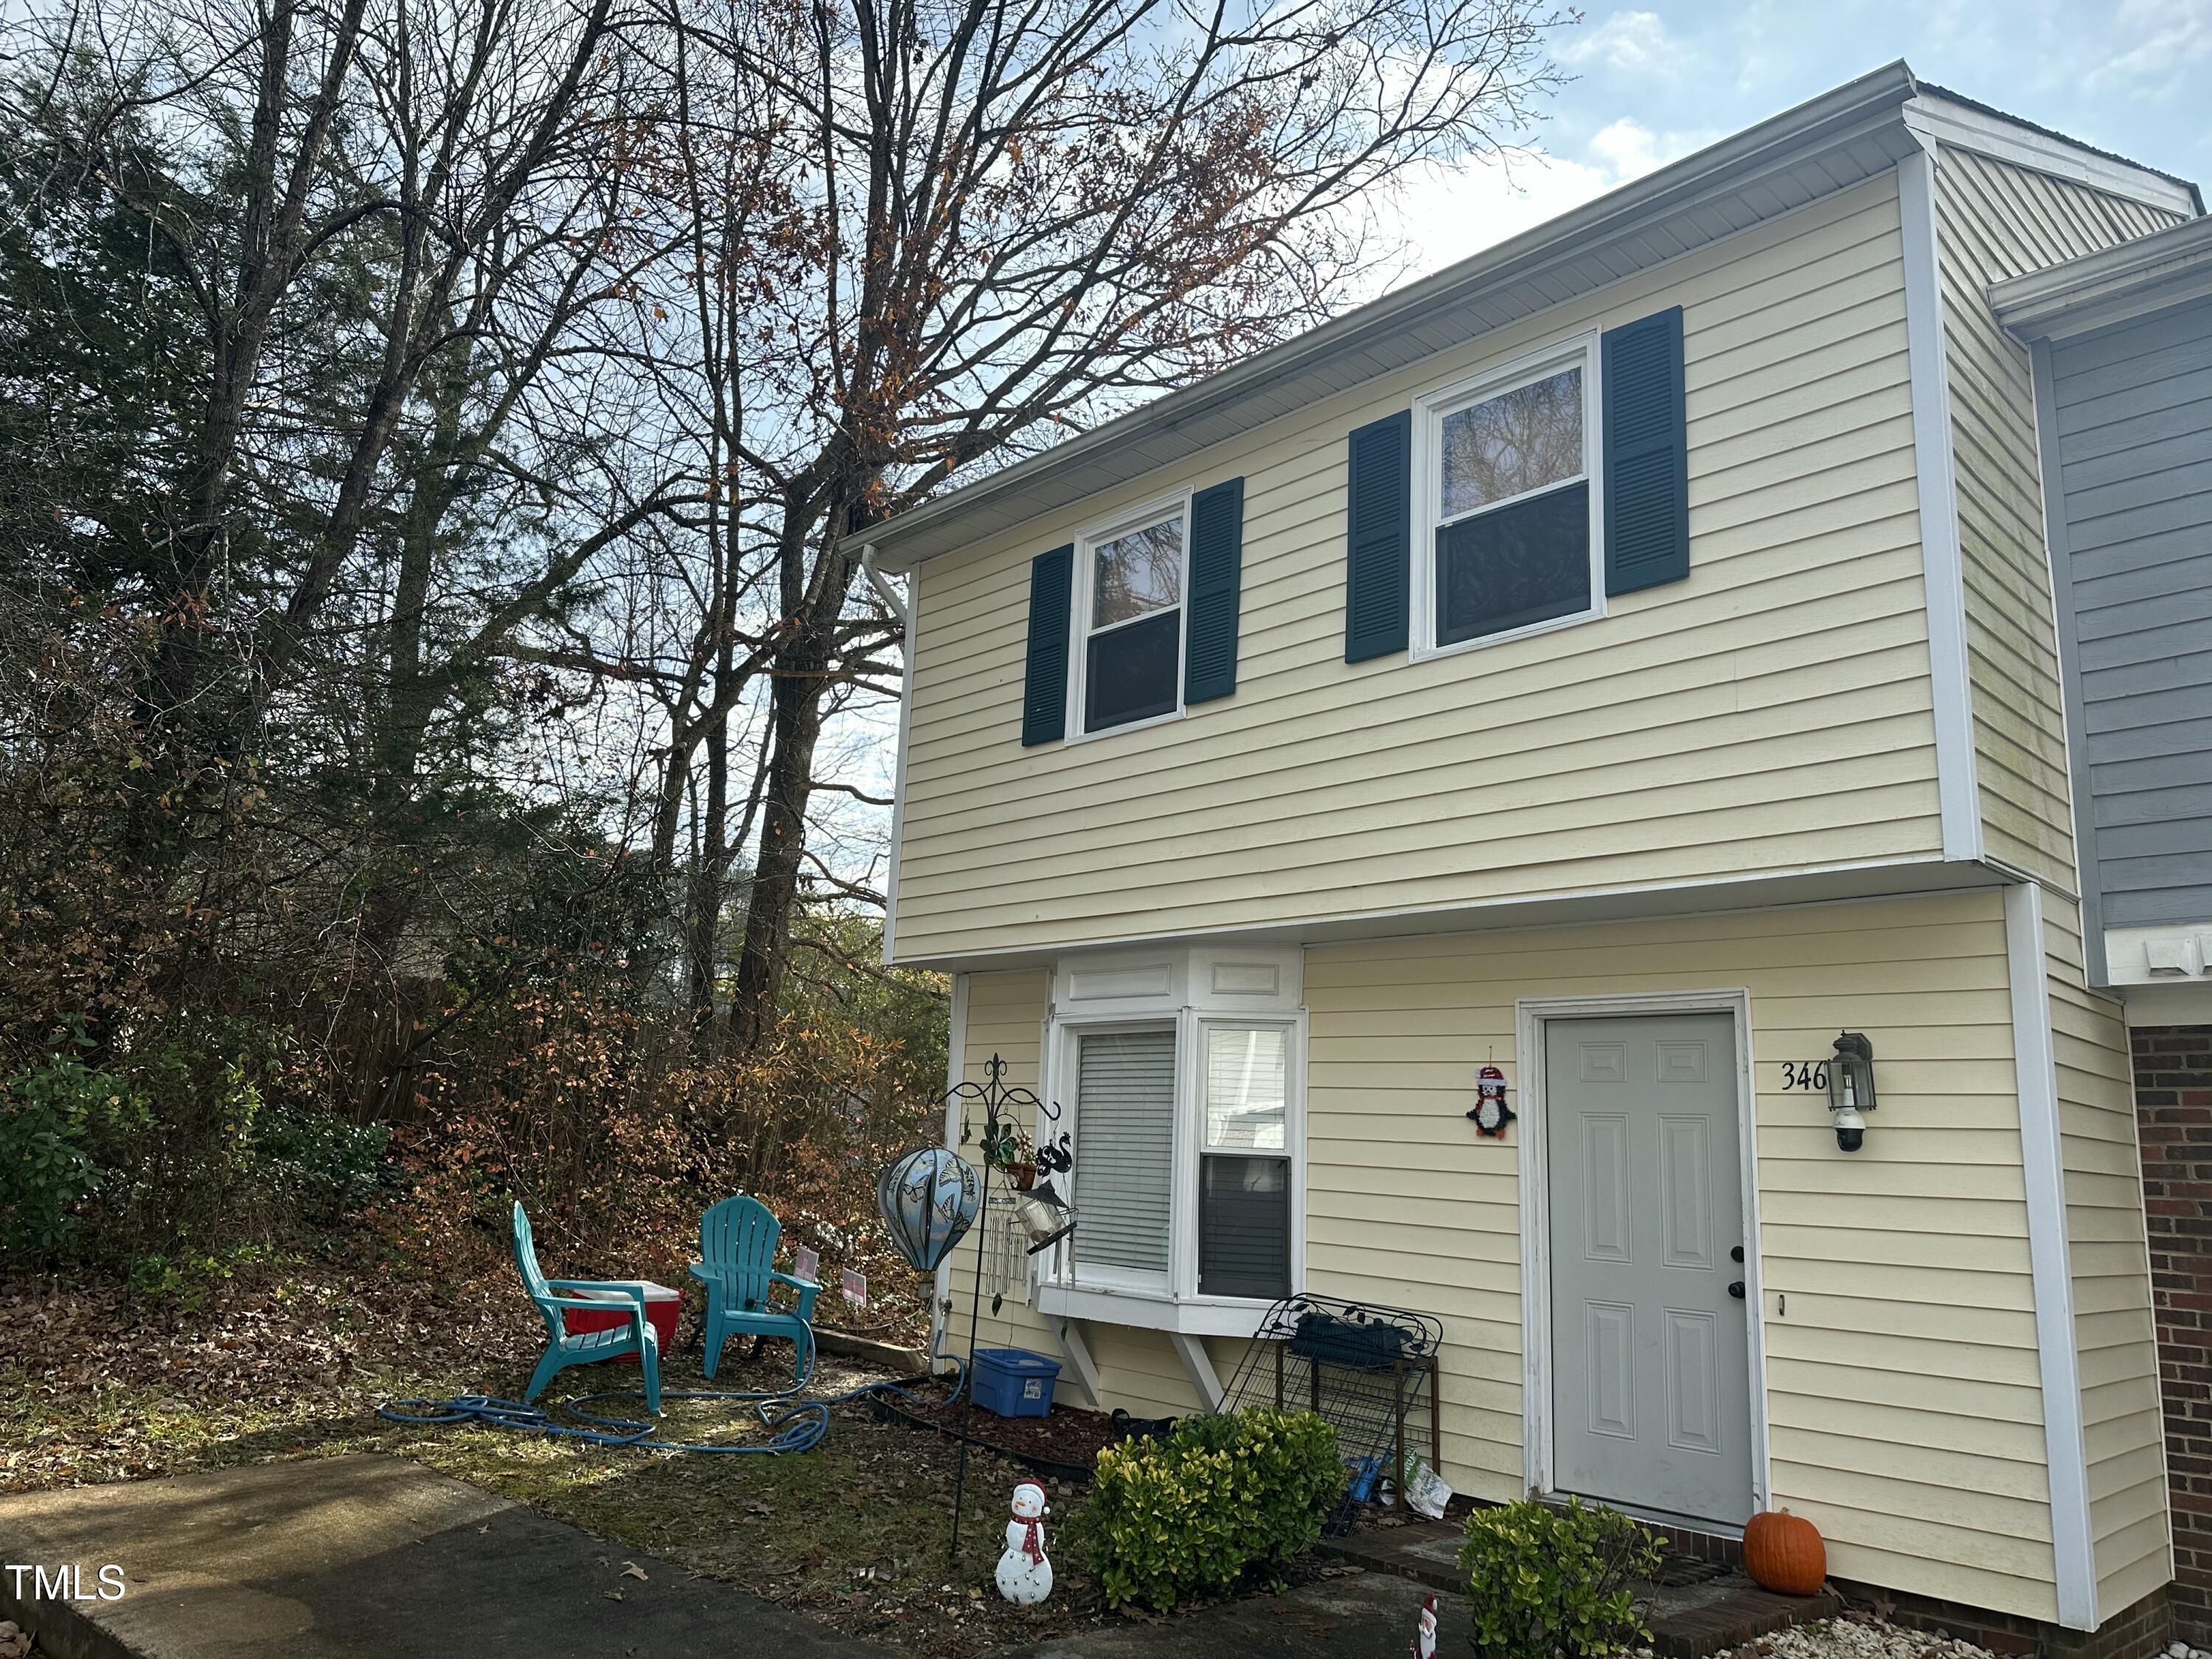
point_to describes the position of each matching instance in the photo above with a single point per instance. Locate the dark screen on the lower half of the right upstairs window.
(1521, 565)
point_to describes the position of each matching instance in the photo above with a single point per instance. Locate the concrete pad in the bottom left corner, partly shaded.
(344, 1558)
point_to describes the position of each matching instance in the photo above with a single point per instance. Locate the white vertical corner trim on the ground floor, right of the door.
(2045, 1176)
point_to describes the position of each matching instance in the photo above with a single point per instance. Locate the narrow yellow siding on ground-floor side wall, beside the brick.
(2111, 1277)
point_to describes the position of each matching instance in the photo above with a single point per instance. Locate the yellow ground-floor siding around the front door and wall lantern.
(1903, 1399)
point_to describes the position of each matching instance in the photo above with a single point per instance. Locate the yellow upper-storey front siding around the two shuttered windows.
(1684, 738)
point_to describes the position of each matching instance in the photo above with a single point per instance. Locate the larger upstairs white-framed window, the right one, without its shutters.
(1507, 503)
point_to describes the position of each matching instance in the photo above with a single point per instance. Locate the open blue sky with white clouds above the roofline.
(1660, 81)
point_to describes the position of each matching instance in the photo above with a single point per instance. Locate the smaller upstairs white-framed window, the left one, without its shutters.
(1131, 581)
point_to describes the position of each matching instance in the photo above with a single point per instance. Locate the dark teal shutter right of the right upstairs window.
(1647, 457)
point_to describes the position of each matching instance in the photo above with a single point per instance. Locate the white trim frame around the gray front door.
(1530, 1016)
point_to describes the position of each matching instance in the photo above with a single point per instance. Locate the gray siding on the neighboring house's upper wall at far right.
(2133, 525)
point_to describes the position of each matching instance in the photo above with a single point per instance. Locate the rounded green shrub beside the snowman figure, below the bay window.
(1222, 1494)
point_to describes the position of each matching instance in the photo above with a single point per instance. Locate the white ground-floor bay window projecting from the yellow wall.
(1187, 1103)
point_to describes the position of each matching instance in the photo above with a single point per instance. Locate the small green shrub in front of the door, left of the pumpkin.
(1547, 1583)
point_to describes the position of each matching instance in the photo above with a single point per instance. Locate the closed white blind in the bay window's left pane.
(1125, 1149)
